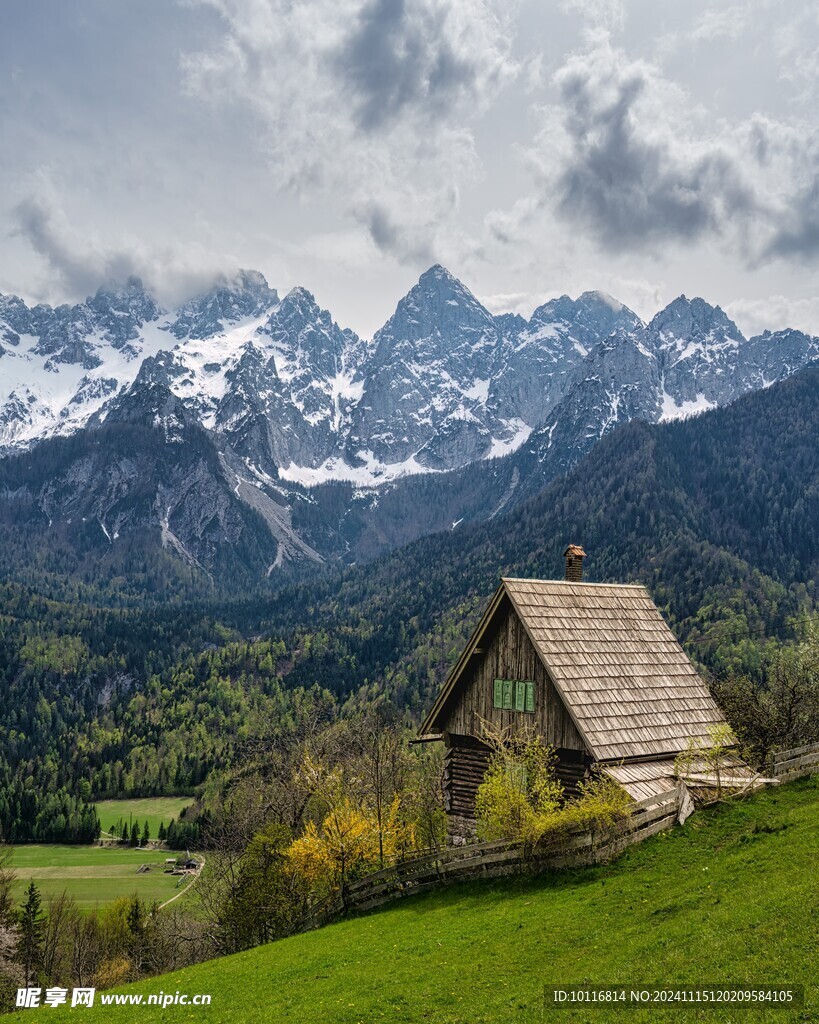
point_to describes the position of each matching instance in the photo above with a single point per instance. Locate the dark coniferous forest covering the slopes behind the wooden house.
(718, 516)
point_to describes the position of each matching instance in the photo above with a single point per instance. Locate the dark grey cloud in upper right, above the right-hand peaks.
(626, 176)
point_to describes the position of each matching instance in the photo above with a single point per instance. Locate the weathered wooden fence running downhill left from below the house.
(489, 861)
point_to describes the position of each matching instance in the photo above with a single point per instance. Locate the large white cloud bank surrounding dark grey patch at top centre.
(369, 100)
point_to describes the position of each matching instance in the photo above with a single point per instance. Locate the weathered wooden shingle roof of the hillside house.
(621, 672)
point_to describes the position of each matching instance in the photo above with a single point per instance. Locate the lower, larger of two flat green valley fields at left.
(93, 875)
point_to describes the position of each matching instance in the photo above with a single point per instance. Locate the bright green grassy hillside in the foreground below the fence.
(732, 898)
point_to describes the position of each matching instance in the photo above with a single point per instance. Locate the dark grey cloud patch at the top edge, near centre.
(400, 57)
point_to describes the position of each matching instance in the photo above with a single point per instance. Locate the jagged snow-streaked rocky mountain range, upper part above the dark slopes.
(443, 385)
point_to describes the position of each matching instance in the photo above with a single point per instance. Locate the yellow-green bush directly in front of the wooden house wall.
(522, 799)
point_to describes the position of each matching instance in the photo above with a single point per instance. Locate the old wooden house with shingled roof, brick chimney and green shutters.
(592, 668)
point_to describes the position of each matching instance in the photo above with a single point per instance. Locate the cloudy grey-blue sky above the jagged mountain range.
(645, 148)
